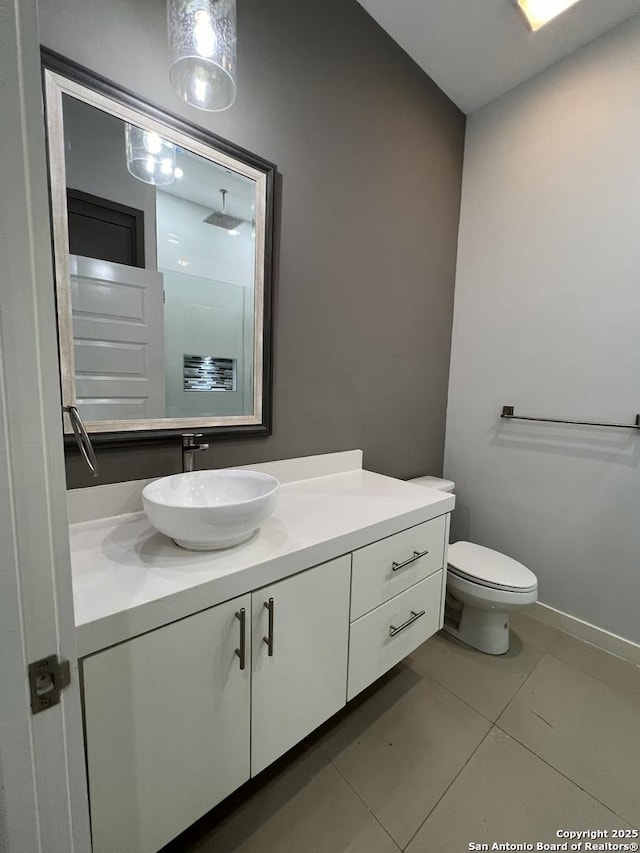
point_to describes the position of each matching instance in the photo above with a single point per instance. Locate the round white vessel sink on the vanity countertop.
(207, 510)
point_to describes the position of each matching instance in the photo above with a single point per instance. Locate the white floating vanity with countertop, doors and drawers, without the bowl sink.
(346, 580)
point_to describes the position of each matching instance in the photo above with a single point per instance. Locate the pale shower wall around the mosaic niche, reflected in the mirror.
(209, 306)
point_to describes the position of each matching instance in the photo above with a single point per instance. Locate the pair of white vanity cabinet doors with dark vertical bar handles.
(167, 714)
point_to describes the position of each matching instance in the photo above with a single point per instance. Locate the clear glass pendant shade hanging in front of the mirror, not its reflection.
(202, 51)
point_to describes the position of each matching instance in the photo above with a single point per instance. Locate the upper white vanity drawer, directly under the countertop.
(390, 566)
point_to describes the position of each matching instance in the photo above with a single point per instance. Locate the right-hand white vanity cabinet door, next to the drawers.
(304, 680)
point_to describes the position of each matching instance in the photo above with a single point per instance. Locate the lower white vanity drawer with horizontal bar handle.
(386, 635)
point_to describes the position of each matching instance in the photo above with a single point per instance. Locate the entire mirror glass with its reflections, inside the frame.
(162, 260)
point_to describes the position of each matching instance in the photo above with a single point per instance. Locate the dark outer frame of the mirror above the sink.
(79, 74)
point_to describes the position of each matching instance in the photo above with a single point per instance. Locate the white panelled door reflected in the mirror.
(118, 334)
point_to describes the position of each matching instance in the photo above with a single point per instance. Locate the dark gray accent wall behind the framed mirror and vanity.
(370, 154)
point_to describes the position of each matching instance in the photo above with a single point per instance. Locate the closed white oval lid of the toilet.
(488, 567)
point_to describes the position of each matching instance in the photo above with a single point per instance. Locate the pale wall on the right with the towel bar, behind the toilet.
(547, 318)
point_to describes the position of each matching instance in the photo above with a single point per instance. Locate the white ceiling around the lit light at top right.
(475, 50)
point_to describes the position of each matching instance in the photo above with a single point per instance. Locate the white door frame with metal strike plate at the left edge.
(43, 806)
